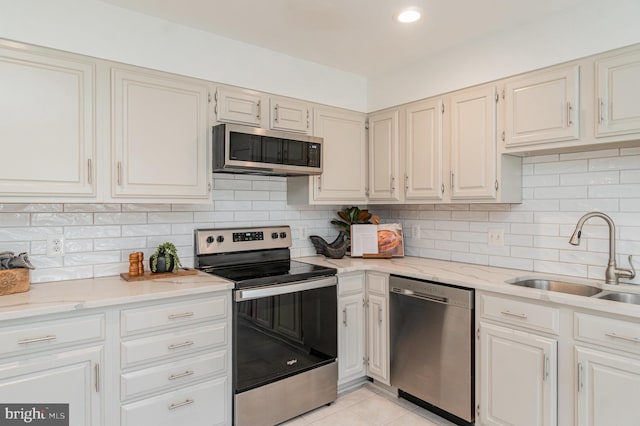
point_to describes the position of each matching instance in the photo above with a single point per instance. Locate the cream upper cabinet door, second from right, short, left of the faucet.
(543, 107)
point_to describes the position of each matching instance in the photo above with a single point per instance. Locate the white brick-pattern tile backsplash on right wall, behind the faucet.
(557, 190)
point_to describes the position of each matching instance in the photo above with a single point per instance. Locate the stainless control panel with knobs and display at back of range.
(214, 241)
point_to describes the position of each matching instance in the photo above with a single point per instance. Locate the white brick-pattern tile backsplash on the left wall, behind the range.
(99, 237)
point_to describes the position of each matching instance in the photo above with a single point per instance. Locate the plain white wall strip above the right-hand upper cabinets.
(595, 26)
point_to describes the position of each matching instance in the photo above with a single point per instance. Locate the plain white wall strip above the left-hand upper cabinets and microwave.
(97, 29)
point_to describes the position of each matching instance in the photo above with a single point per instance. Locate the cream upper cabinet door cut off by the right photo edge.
(618, 109)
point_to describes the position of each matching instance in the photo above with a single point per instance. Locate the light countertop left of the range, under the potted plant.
(75, 295)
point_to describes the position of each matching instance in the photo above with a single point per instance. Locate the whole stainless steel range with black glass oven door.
(284, 323)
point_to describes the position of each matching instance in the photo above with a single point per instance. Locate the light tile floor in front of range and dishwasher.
(369, 405)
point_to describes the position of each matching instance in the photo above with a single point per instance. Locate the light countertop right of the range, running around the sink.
(485, 278)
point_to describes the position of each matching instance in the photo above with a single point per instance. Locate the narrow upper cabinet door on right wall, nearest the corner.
(383, 157)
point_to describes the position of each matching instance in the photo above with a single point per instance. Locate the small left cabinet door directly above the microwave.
(237, 106)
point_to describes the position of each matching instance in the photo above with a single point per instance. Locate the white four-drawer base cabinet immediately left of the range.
(176, 373)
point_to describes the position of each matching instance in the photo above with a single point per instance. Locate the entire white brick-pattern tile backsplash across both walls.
(557, 190)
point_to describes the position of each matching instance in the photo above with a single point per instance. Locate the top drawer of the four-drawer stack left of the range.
(156, 316)
